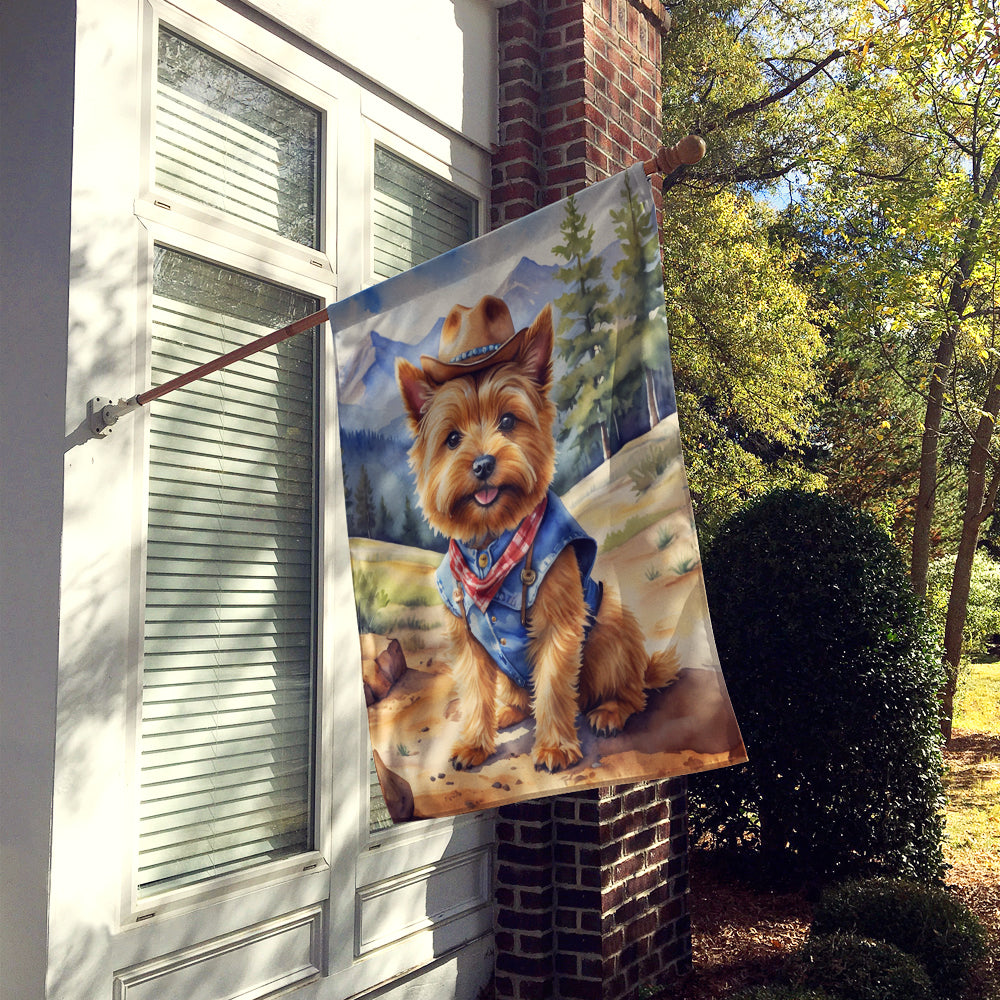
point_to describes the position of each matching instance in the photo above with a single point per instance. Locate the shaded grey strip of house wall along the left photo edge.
(36, 116)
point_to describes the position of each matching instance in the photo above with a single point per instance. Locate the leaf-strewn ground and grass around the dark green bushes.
(742, 935)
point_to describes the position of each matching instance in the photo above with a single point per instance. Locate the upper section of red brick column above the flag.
(579, 96)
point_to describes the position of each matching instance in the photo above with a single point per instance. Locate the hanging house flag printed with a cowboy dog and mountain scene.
(527, 578)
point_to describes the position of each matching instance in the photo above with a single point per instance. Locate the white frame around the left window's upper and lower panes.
(180, 224)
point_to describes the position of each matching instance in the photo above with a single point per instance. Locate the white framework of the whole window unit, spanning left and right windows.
(351, 873)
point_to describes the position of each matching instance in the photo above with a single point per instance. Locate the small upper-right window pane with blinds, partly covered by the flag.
(416, 215)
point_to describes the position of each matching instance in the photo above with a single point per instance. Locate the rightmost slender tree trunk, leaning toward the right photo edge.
(979, 500)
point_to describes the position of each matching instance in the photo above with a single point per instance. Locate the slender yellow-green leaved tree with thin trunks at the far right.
(920, 213)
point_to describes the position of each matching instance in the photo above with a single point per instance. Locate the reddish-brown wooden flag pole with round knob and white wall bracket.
(103, 413)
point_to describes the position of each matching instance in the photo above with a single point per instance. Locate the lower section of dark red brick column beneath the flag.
(591, 893)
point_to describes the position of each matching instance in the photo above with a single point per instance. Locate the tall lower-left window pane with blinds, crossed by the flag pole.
(228, 656)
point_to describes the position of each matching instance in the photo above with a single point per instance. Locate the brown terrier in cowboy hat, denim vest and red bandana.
(530, 630)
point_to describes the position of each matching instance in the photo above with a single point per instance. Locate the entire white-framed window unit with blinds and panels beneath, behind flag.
(250, 807)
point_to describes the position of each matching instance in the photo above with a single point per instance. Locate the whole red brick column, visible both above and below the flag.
(591, 888)
